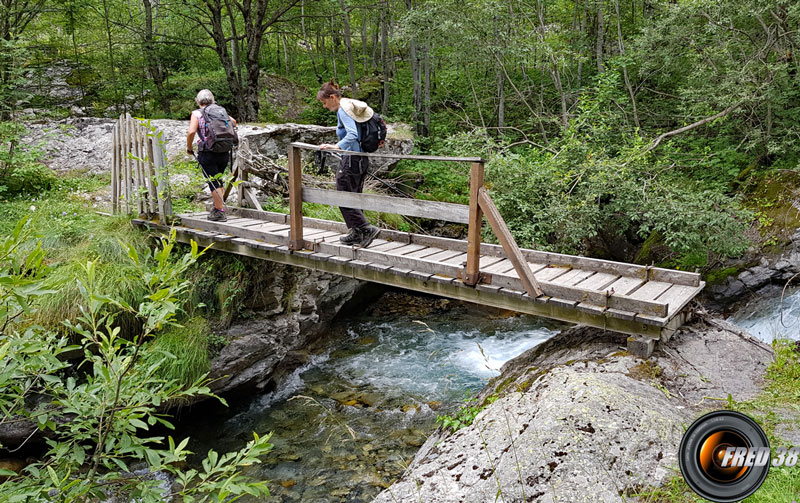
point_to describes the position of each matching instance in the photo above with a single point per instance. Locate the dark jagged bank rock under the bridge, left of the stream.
(294, 307)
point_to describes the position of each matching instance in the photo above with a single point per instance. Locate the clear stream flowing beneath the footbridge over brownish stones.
(349, 421)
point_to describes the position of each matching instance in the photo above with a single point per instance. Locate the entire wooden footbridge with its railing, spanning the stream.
(648, 303)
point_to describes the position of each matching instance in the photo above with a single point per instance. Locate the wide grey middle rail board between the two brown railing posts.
(435, 210)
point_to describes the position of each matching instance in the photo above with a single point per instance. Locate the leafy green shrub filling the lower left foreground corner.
(100, 419)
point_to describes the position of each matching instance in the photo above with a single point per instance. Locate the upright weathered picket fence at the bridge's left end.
(139, 177)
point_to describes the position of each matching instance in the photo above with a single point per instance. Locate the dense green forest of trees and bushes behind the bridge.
(646, 130)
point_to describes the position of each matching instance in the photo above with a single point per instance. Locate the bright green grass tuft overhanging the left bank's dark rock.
(183, 349)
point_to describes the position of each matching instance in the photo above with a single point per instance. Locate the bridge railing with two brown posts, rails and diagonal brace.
(480, 205)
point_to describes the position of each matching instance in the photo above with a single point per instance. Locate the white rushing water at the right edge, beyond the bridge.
(768, 318)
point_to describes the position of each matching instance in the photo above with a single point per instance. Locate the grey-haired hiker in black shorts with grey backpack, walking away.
(216, 139)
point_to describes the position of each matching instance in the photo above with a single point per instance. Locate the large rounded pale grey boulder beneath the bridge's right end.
(580, 420)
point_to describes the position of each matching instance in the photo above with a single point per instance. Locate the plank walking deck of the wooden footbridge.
(573, 287)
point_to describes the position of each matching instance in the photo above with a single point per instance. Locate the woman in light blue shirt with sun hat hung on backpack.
(359, 129)
